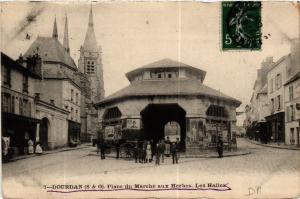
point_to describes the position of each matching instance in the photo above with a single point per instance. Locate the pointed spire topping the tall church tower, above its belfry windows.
(90, 42)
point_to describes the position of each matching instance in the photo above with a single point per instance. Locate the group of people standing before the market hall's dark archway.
(149, 151)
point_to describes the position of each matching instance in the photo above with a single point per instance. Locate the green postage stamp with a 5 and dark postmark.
(241, 25)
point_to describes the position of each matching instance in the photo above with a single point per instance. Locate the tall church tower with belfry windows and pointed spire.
(90, 62)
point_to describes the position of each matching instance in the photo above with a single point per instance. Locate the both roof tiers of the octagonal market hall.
(171, 87)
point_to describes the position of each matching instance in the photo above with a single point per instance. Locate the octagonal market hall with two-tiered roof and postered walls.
(168, 95)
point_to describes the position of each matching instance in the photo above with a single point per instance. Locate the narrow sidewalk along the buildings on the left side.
(67, 148)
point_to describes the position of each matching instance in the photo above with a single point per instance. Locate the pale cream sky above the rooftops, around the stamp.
(132, 34)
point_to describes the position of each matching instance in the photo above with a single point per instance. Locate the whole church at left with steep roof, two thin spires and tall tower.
(73, 89)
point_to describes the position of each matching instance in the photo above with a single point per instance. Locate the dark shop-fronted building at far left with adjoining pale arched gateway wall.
(24, 115)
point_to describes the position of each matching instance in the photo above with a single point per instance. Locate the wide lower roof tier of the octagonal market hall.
(177, 87)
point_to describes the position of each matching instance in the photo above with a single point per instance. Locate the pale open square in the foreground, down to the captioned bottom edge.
(266, 171)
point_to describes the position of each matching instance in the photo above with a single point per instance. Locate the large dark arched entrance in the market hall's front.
(156, 116)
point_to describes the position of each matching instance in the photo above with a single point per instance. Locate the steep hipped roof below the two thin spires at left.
(50, 49)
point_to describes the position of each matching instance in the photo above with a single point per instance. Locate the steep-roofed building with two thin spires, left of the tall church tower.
(59, 85)
